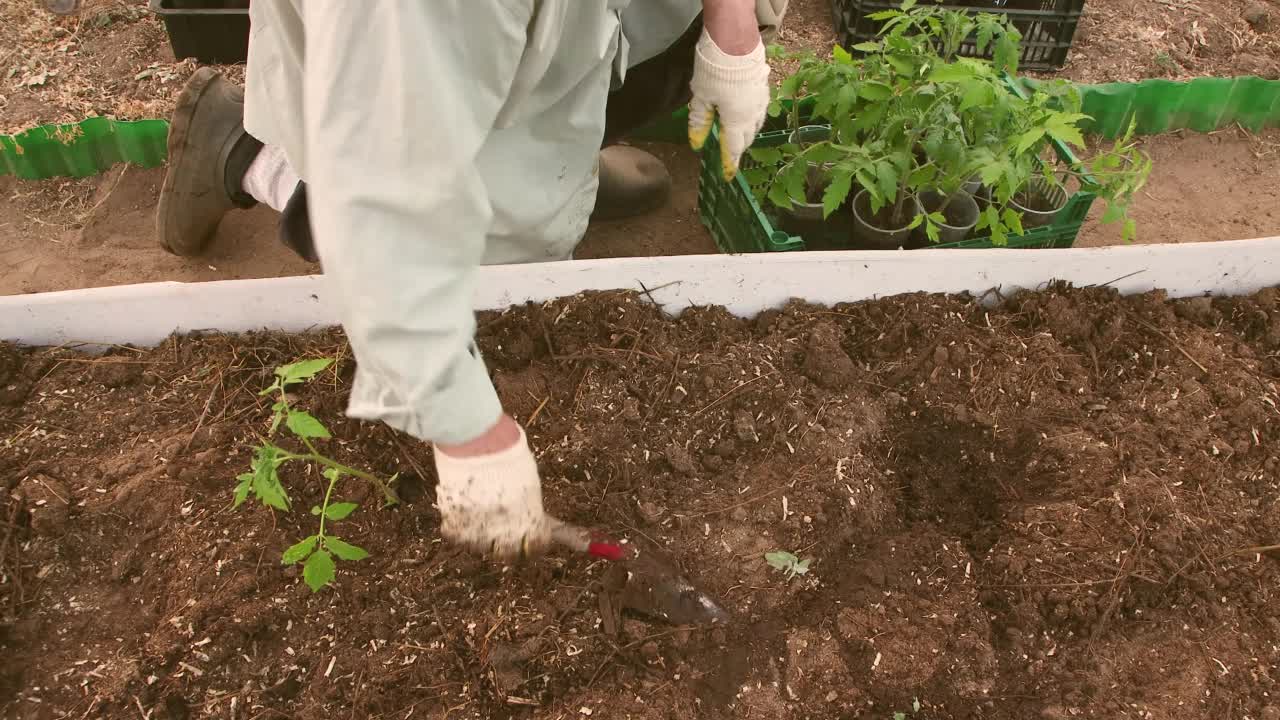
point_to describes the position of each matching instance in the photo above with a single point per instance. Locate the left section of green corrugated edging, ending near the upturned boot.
(83, 149)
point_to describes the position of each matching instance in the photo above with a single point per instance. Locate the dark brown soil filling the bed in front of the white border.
(1037, 511)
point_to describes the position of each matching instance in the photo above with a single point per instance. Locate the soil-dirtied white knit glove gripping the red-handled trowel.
(493, 503)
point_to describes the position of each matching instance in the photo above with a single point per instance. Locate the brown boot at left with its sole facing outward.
(209, 153)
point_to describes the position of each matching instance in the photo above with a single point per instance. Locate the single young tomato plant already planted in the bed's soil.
(317, 553)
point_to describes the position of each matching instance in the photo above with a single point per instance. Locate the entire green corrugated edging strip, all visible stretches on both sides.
(1204, 104)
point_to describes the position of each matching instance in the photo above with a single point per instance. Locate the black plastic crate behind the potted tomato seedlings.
(1048, 26)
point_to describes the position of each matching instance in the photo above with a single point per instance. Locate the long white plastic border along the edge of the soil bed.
(147, 315)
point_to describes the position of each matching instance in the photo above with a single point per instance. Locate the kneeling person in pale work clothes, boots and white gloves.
(419, 172)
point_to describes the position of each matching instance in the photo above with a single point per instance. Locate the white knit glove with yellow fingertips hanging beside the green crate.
(738, 89)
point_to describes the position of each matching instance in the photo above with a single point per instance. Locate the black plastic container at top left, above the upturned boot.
(211, 31)
